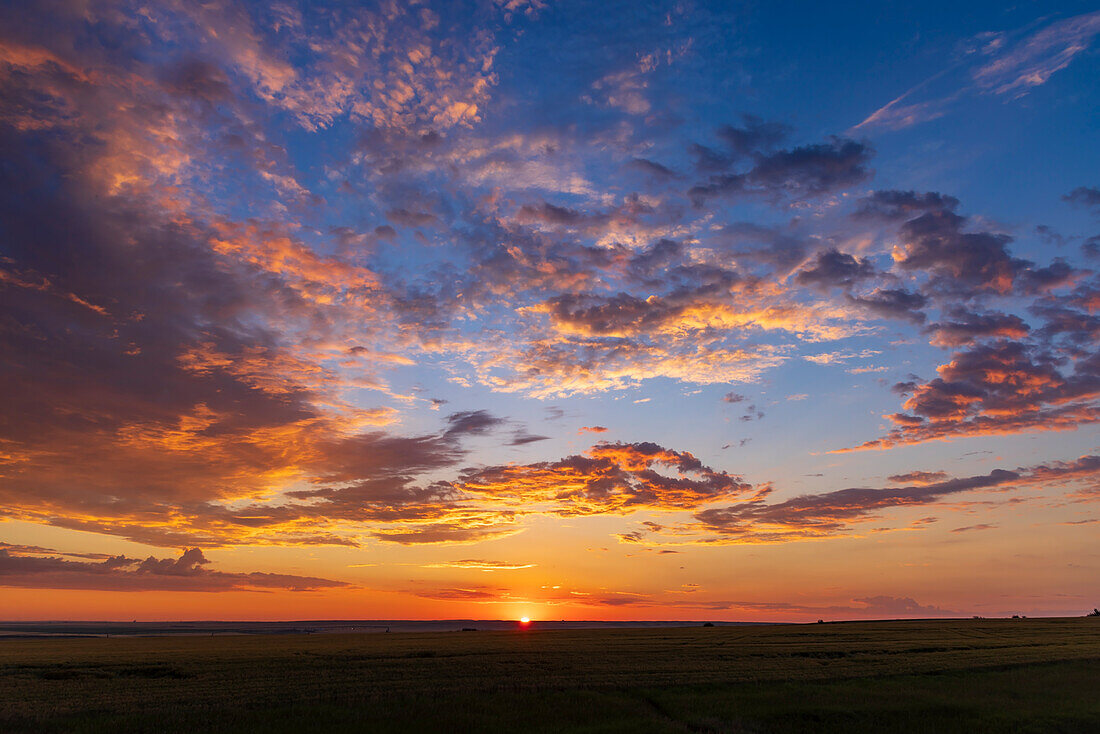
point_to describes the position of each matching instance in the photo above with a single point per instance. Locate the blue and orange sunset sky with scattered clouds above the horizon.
(502, 309)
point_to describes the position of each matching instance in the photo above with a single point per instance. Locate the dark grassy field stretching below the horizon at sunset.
(966, 676)
